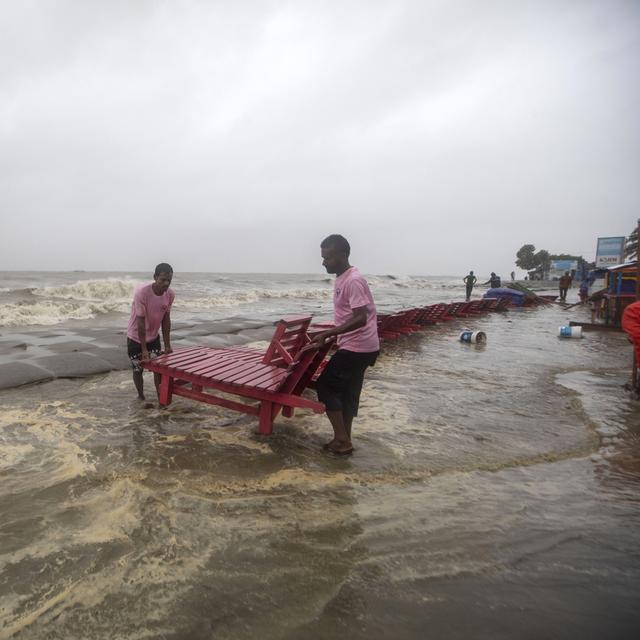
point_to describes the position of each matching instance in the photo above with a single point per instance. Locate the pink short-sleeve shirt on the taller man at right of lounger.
(351, 291)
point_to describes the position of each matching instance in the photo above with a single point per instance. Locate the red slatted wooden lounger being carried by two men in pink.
(273, 379)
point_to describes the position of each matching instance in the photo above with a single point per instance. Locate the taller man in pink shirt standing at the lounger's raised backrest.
(340, 383)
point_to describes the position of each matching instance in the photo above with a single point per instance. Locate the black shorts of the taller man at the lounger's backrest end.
(340, 383)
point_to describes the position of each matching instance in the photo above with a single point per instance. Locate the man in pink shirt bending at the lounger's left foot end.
(150, 312)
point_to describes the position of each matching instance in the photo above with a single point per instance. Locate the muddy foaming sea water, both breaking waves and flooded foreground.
(493, 492)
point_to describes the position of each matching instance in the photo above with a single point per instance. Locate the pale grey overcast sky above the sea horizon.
(437, 135)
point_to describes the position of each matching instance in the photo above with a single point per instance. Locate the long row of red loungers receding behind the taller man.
(394, 325)
